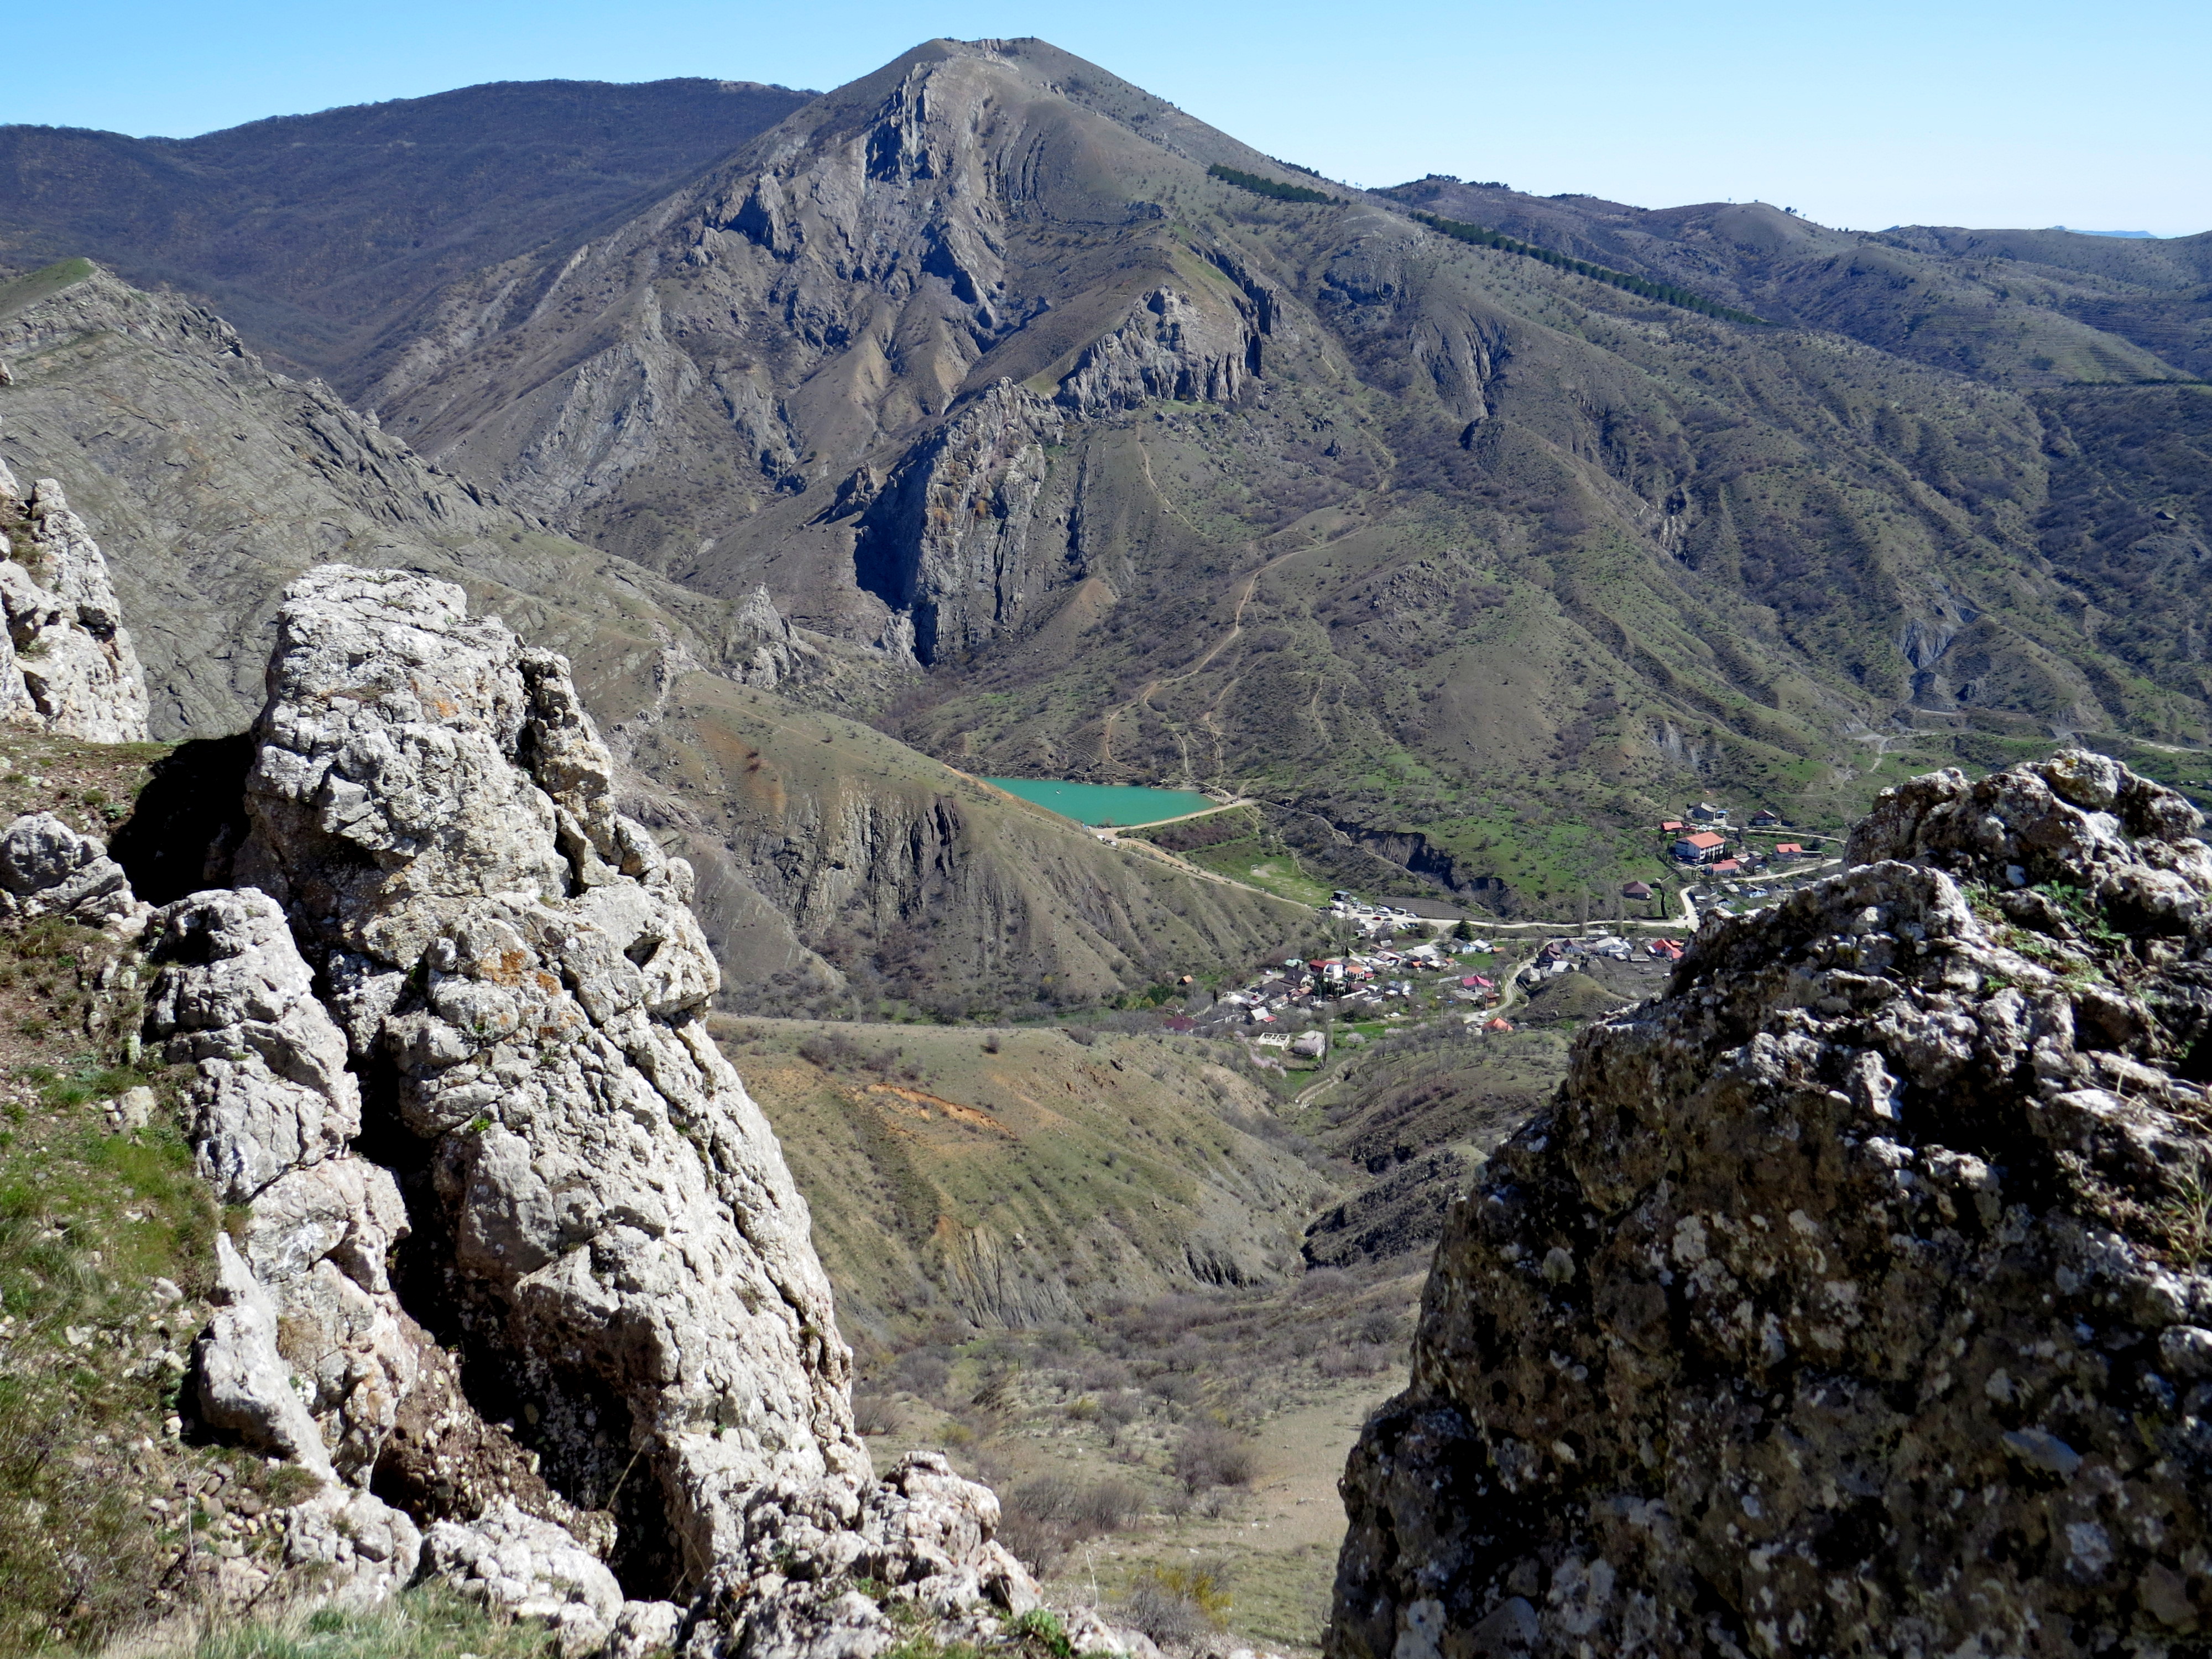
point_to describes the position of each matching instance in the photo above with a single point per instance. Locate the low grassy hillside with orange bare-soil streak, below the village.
(1023, 1178)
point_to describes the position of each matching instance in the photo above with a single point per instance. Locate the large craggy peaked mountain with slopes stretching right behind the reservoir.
(981, 359)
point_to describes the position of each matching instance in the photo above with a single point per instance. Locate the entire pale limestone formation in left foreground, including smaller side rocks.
(519, 1280)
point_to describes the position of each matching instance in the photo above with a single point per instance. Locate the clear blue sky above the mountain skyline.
(1859, 116)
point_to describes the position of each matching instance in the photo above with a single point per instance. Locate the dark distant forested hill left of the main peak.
(317, 233)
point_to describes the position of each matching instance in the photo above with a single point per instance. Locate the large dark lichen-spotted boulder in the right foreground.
(1857, 1295)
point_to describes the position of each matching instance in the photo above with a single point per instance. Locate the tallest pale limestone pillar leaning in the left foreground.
(432, 808)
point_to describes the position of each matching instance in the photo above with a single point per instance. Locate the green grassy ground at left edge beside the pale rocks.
(105, 1516)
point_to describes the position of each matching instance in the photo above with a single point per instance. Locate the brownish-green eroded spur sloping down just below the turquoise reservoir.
(926, 888)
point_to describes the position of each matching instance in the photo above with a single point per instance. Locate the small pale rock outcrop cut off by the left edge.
(65, 658)
